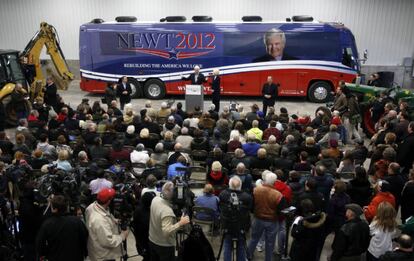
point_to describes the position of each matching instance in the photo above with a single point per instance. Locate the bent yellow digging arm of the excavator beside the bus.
(47, 36)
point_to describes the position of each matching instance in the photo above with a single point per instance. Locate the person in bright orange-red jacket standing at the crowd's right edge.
(383, 193)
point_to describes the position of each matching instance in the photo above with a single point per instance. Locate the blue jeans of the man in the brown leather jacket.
(269, 228)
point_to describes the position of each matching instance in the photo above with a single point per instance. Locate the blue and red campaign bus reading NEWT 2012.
(307, 59)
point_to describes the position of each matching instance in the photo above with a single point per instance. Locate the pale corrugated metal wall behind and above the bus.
(384, 27)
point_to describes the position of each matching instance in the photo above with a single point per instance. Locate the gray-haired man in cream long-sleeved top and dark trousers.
(163, 225)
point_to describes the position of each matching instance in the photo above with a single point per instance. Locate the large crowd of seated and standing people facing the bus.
(263, 162)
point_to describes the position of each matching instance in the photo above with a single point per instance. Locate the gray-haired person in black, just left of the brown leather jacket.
(235, 215)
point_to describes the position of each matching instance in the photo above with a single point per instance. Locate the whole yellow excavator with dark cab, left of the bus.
(25, 68)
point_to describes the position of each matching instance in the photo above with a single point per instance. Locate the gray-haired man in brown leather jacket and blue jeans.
(268, 202)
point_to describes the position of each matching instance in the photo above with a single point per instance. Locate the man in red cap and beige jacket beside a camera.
(105, 240)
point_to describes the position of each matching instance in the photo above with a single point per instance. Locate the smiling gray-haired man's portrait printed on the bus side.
(275, 42)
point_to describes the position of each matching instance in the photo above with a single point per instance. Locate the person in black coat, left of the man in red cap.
(62, 237)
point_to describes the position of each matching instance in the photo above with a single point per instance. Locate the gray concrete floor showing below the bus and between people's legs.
(299, 106)
